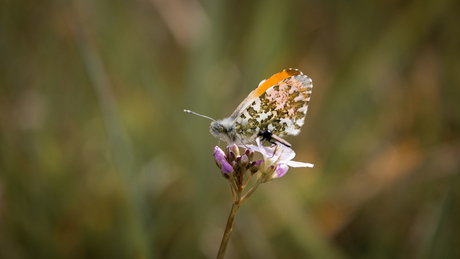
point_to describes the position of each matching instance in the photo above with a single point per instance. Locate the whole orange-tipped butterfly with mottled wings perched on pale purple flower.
(277, 107)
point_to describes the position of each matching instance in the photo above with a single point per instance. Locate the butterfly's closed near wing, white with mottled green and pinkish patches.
(280, 108)
